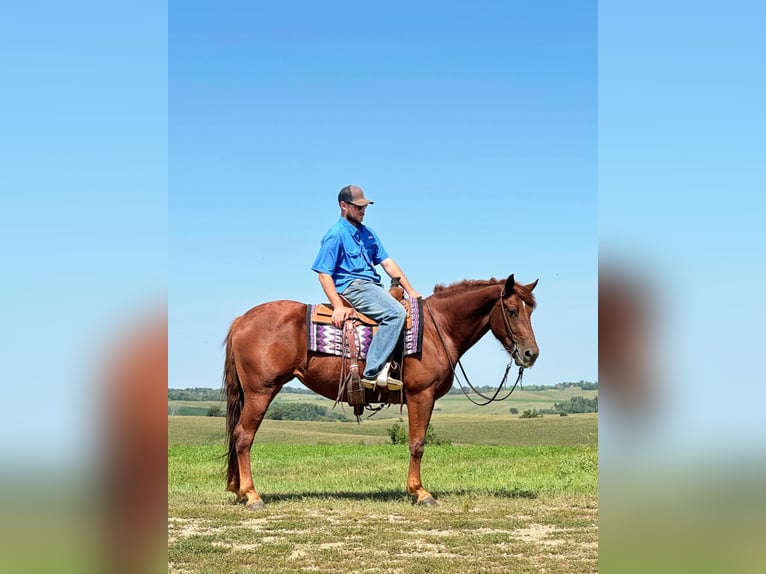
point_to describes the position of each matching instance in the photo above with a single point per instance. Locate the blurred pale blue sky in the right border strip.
(681, 187)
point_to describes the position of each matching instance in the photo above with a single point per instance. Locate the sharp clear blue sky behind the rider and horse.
(472, 128)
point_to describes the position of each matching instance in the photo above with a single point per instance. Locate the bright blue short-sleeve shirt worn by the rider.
(349, 253)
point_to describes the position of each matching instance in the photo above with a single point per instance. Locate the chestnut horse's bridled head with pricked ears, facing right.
(510, 322)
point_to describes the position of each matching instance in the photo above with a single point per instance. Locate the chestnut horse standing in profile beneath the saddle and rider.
(267, 346)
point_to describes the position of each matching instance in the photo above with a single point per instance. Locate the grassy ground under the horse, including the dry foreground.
(516, 495)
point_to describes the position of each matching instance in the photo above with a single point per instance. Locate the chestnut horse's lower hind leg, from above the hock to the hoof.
(253, 412)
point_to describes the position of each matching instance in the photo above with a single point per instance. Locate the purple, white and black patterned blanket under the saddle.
(328, 339)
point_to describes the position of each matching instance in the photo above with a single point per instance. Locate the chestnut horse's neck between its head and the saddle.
(464, 317)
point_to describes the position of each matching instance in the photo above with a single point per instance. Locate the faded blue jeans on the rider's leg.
(375, 302)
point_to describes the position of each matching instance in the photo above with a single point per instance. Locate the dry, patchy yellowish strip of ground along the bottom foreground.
(518, 535)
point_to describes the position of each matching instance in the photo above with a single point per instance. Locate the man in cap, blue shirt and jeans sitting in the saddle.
(346, 265)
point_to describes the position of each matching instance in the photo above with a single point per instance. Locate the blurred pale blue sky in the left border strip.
(83, 209)
